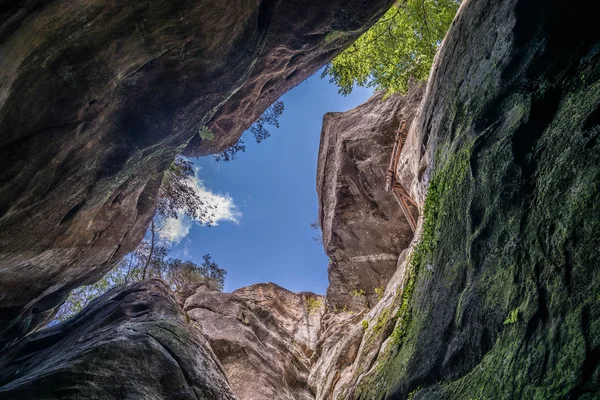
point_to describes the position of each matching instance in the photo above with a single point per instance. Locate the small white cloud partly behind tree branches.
(223, 209)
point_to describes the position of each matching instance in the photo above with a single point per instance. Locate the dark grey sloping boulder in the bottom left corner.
(131, 343)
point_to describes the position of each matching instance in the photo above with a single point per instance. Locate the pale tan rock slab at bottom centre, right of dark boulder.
(263, 335)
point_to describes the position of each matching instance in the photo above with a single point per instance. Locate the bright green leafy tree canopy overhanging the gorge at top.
(399, 47)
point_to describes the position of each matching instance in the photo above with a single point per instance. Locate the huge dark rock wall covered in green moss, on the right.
(500, 300)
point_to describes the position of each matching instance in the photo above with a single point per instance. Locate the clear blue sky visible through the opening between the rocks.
(267, 198)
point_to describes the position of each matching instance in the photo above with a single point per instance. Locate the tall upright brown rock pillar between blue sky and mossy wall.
(364, 229)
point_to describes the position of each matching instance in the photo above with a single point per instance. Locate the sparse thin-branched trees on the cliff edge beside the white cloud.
(149, 259)
